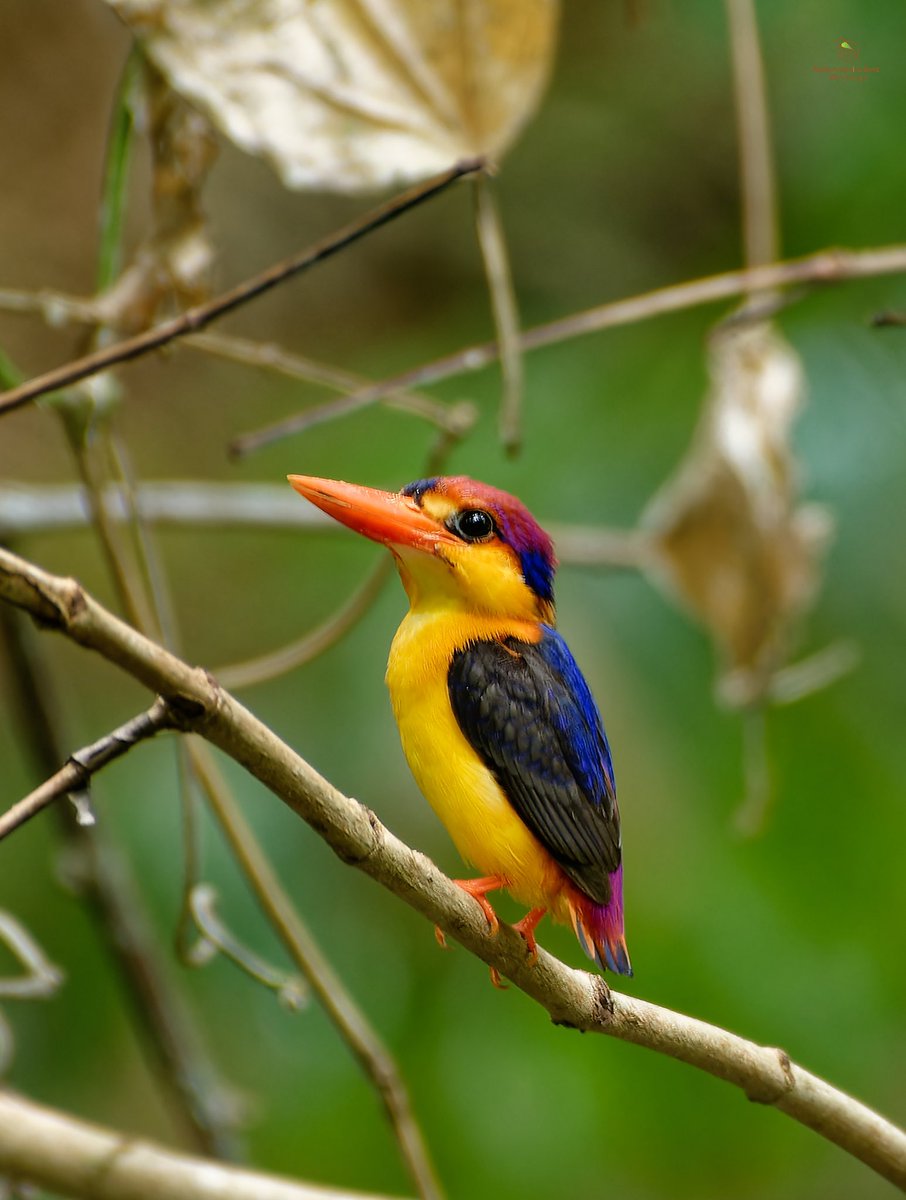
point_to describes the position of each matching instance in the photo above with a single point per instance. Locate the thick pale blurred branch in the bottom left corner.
(87, 1161)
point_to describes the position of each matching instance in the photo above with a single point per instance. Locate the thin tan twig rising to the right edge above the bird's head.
(826, 267)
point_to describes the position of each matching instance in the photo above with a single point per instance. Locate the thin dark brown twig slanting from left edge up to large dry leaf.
(196, 319)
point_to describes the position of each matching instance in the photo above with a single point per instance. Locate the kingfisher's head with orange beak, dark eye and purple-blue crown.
(459, 544)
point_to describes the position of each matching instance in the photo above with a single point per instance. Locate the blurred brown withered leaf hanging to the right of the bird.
(728, 536)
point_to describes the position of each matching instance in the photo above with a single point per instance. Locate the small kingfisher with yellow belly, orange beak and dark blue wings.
(496, 719)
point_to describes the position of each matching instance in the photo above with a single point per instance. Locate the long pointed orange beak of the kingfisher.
(388, 518)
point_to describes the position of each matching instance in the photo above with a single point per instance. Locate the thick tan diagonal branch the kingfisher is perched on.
(575, 999)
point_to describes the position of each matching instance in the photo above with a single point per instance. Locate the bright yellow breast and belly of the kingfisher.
(463, 791)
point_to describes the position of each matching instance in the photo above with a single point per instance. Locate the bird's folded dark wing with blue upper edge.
(527, 711)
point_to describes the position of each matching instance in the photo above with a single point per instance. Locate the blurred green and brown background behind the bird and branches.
(627, 181)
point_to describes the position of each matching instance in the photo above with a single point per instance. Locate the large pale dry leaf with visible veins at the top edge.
(355, 94)
